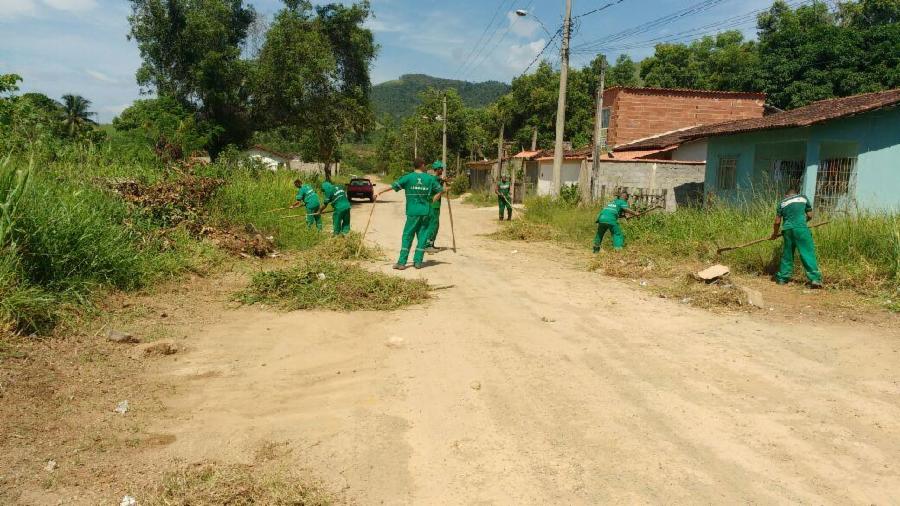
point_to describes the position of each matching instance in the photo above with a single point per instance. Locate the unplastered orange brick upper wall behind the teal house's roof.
(637, 113)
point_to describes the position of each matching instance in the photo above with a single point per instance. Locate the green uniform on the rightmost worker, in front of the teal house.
(797, 236)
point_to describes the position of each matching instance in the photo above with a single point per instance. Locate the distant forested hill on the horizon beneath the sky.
(399, 98)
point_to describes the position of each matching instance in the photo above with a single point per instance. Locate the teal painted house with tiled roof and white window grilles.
(843, 153)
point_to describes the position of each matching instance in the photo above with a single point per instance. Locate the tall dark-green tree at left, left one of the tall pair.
(191, 51)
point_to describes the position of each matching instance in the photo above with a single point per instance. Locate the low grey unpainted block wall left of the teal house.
(683, 181)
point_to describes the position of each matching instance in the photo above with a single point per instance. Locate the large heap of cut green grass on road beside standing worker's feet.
(322, 280)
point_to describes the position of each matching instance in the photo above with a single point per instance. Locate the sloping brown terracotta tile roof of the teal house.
(817, 112)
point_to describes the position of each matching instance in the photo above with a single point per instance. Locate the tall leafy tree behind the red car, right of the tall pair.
(313, 74)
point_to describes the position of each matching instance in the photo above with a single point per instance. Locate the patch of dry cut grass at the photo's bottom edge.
(236, 485)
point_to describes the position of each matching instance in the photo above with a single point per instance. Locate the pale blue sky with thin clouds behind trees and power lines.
(79, 46)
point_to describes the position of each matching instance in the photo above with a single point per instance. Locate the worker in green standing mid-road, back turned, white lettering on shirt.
(421, 191)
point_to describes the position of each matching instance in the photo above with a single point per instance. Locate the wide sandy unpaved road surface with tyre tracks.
(529, 381)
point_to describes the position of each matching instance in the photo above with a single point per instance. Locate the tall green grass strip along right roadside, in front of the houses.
(859, 252)
